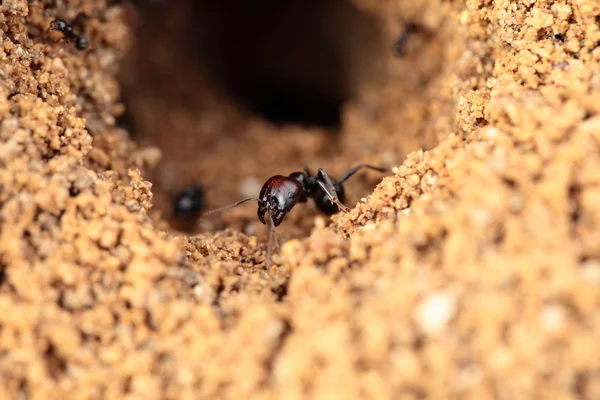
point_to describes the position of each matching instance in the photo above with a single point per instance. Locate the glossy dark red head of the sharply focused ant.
(278, 196)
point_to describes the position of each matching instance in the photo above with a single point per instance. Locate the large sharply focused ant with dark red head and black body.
(281, 193)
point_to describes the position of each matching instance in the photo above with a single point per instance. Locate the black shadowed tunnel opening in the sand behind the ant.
(291, 61)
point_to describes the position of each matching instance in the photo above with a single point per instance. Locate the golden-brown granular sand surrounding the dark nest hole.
(473, 271)
